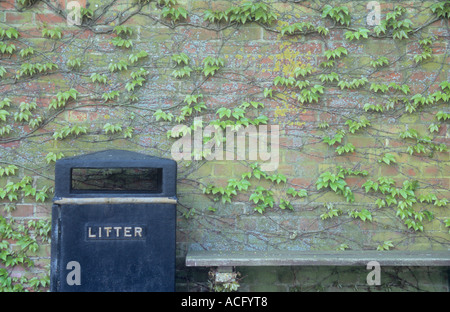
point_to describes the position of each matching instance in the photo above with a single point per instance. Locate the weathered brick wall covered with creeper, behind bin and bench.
(362, 111)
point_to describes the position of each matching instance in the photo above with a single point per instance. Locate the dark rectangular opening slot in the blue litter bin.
(125, 180)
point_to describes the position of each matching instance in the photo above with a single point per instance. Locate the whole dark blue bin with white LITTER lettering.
(113, 223)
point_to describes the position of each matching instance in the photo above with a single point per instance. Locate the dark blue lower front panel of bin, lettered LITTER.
(127, 247)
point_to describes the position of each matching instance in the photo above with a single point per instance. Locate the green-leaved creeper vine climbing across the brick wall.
(308, 85)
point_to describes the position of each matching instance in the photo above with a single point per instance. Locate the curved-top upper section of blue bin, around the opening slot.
(115, 173)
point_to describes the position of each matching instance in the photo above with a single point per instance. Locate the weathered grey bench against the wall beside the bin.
(226, 260)
